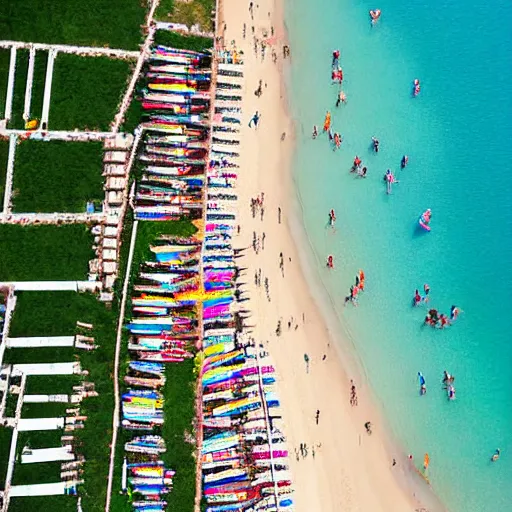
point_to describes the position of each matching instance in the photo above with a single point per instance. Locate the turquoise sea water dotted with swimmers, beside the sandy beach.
(458, 135)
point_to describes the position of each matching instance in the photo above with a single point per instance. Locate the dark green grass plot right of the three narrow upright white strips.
(86, 92)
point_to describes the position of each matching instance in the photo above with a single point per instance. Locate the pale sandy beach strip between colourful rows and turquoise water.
(341, 467)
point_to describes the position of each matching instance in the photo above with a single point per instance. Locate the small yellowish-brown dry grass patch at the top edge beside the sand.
(188, 12)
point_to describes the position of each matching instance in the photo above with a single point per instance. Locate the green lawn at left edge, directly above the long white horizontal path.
(45, 253)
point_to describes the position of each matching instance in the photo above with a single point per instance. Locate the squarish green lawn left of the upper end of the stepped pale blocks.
(57, 176)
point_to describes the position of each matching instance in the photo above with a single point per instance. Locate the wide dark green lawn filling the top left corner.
(114, 23)
